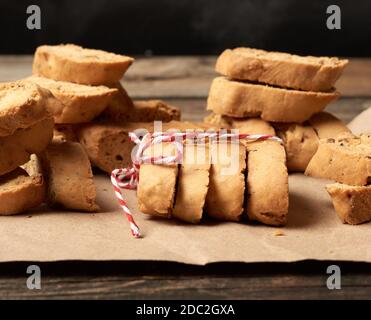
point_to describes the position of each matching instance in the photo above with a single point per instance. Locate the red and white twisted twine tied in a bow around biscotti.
(128, 178)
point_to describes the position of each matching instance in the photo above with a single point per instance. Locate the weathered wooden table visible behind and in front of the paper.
(185, 81)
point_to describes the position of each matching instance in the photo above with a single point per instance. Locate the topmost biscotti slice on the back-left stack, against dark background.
(68, 62)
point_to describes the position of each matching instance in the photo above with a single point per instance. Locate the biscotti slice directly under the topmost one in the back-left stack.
(79, 103)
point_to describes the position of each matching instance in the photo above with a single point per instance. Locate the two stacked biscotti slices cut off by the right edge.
(347, 160)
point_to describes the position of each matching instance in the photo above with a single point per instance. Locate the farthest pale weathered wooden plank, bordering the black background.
(187, 77)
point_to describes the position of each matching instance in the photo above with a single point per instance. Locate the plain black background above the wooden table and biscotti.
(163, 27)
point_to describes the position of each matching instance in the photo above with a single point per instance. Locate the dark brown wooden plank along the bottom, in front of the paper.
(278, 286)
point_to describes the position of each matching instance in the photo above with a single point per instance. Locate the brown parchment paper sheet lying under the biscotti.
(313, 232)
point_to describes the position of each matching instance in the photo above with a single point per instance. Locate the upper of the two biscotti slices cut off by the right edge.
(345, 159)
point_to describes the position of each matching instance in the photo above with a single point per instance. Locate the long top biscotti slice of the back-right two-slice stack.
(281, 69)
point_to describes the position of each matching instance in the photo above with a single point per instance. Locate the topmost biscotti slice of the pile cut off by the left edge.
(22, 104)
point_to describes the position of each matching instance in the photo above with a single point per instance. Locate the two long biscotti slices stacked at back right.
(275, 86)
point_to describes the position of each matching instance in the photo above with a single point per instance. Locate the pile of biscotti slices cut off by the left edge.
(26, 127)
